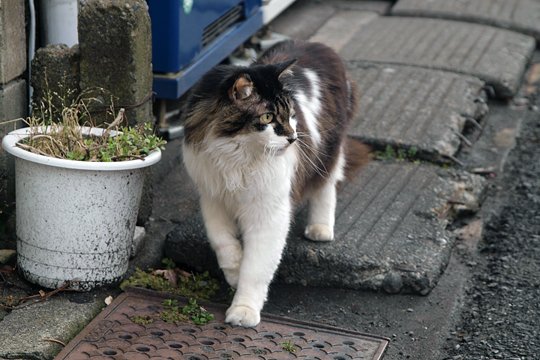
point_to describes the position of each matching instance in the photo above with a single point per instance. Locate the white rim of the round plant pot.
(9, 143)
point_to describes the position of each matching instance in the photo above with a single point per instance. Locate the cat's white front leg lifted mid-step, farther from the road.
(222, 233)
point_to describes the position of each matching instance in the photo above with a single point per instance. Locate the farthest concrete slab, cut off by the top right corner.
(517, 15)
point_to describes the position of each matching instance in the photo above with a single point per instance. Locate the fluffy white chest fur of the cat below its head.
(233, 172)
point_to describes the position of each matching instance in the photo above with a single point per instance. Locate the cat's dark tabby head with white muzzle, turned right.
(249, 105)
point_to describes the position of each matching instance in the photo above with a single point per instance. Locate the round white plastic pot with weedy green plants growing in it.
(78, 190)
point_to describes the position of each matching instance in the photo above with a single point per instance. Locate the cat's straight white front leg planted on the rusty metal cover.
(264, 239)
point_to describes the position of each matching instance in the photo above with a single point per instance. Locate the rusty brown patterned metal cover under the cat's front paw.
(112, 335)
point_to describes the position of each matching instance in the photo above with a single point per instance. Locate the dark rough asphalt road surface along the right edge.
(501, 313)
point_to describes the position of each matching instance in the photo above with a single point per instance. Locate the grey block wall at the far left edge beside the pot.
(13, 92)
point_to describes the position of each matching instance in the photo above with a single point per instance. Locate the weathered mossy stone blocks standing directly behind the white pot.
(112, 62)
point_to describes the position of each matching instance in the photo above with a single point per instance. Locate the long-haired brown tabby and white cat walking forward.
(257, 141)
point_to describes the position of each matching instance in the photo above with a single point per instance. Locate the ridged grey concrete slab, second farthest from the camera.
(498, 57)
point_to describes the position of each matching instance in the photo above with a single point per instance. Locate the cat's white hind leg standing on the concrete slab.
(322, 205)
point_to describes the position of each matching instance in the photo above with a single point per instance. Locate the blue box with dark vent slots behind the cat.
(189, 37)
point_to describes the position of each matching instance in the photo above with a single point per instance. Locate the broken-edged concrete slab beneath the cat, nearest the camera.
(390, 231)
